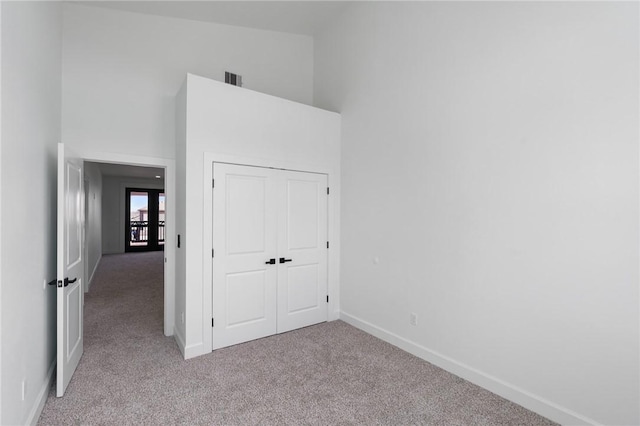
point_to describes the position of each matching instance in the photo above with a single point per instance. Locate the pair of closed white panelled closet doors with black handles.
(270, 252)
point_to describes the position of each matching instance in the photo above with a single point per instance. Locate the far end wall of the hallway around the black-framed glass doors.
(114, 208)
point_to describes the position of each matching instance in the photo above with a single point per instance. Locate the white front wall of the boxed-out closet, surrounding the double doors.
(240, 125)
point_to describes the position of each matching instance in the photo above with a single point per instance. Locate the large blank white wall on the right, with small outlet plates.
(490, 161)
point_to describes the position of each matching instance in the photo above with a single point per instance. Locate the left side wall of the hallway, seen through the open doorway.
(93, 219)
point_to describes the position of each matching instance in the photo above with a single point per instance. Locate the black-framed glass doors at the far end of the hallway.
(144, 219)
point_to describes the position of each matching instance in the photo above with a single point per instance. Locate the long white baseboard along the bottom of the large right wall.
(506, 390)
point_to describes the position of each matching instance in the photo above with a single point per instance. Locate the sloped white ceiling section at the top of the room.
(298, 17)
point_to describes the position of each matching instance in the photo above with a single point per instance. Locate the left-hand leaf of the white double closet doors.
(244, 235)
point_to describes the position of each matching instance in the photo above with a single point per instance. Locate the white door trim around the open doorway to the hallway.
(170, 195)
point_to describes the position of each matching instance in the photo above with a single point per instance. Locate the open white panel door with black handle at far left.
(70, 266)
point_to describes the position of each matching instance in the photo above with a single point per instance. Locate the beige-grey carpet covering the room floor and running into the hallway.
(327, 374)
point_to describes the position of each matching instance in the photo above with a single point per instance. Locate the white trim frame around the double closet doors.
(333, 231)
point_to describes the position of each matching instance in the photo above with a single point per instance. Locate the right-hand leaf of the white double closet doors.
(302, 250)
